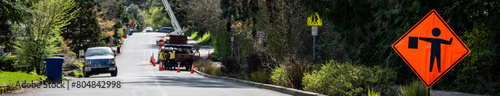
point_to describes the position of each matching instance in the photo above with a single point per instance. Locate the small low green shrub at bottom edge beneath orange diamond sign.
(416, 88)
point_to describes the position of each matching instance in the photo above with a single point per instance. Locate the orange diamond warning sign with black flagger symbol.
(430, 48)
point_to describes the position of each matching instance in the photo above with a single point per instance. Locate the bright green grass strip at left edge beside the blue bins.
(7, 78)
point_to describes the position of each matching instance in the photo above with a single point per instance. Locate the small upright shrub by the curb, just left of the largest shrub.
(280, 77)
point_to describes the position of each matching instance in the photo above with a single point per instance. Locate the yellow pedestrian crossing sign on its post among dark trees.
(314, 21)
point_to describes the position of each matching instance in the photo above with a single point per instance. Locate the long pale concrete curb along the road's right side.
(291, 91)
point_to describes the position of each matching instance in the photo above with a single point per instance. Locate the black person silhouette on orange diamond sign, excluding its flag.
(436, 47)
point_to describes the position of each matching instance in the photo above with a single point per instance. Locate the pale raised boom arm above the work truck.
(175, 24)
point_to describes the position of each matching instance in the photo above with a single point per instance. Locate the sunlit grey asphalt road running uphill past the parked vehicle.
(139, 78)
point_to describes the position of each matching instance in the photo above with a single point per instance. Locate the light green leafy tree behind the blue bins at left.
(41, 36)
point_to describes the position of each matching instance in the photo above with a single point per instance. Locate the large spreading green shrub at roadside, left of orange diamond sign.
(346, 78)
